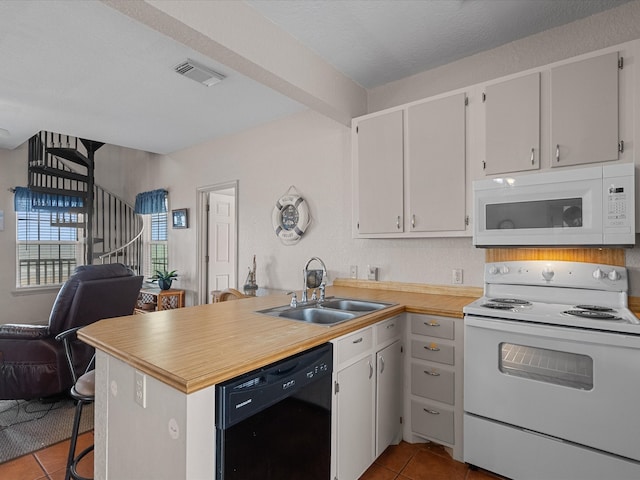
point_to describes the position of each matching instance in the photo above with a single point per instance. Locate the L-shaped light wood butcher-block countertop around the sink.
(196, 347)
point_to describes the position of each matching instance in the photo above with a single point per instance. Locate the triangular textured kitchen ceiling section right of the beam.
(376, 42)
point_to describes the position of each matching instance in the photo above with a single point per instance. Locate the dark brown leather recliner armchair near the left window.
(33, 362)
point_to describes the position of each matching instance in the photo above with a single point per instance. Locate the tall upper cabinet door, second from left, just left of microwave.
(435, 165)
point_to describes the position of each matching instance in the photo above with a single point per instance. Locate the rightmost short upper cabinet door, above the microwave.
(584, 111)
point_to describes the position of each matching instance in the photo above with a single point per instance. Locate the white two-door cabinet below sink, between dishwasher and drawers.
(367, 400)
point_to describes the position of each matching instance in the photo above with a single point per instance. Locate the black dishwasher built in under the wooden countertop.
(274, 423)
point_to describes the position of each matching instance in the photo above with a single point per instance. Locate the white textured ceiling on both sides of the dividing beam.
(86, 69)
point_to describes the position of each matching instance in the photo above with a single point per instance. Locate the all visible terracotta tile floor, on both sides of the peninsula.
(399, 462)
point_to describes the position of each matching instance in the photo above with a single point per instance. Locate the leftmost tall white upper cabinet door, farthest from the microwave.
(379, 165)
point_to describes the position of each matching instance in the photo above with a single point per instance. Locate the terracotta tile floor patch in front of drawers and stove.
(421, 462)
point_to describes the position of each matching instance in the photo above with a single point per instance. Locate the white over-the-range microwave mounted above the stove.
(591, 206)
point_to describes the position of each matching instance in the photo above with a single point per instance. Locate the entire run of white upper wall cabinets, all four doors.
(414, 164)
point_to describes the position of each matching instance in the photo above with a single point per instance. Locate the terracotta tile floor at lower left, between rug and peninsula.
(48, 463)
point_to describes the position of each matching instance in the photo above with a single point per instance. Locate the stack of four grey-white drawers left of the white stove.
(435, 364)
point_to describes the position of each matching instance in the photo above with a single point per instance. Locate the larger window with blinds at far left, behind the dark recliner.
(48, 247)
